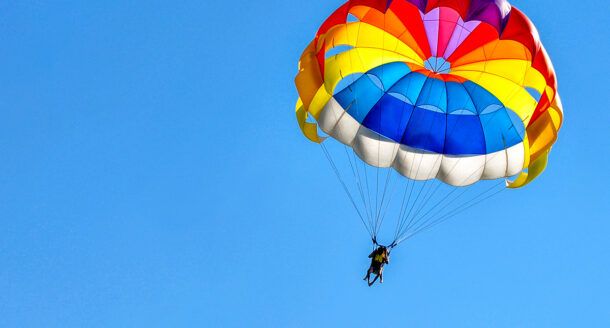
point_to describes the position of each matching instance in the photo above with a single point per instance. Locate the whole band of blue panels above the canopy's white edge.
(427, 113)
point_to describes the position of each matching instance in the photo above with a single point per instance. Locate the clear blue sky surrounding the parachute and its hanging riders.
(153, 175)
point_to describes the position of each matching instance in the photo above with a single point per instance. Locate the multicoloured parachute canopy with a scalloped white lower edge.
(455, 90)
